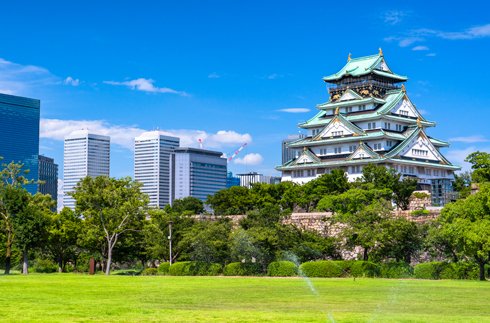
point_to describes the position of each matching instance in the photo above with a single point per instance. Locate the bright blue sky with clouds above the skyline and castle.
(232, 72)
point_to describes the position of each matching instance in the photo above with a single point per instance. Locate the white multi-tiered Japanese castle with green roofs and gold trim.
(369, 118)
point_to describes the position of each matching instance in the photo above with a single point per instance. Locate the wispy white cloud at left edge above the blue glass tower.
(16, 78)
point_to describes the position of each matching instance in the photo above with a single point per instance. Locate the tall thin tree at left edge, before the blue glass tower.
(12, 201)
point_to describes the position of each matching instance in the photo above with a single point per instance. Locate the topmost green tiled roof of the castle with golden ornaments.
(362, 66)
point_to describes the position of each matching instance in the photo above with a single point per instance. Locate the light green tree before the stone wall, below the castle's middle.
(360, 212)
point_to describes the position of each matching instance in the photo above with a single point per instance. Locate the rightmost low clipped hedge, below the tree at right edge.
(443, 270)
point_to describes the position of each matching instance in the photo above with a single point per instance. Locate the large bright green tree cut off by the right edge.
(466, 225)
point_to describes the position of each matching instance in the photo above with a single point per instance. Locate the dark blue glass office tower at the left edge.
(19, 134)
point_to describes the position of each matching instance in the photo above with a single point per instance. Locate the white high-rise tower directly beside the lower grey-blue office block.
(152, 152)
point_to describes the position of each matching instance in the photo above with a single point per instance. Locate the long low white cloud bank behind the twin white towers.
(123, 135)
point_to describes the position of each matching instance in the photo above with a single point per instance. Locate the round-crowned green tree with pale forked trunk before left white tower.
(112, 206)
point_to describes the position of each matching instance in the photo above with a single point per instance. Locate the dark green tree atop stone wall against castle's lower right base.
(384, 178)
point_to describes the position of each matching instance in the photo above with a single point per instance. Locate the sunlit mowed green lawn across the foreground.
(84, 298)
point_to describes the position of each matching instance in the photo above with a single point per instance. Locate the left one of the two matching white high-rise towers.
(86, 153)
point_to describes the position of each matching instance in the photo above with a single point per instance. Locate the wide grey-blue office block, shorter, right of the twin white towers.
(196, 172)
